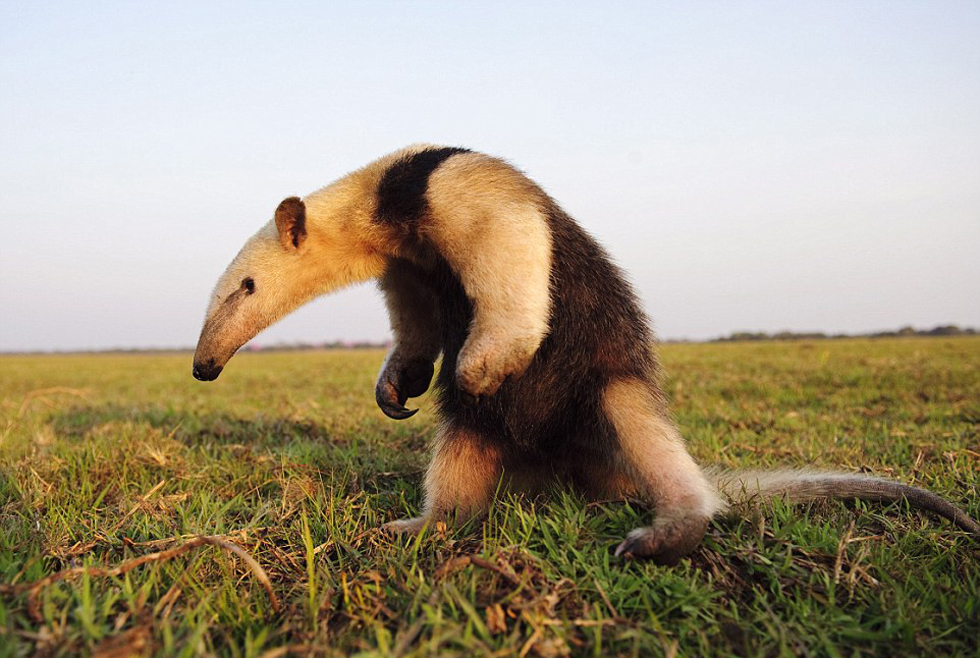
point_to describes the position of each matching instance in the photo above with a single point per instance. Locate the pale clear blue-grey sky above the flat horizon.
(752, 166)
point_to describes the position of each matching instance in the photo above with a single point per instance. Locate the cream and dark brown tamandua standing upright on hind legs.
(548, 370)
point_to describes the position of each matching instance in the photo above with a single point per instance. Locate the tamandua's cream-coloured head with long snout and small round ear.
(291, 260)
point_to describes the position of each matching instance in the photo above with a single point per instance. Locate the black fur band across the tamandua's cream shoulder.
(401, 191)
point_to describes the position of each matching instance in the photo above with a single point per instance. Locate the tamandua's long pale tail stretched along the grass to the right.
(800, 486)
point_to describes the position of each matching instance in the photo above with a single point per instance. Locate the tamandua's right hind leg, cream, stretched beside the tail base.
(664, 474)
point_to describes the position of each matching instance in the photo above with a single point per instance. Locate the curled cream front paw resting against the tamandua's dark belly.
(483, 367)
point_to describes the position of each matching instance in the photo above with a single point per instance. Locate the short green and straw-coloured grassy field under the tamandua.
(104, 459)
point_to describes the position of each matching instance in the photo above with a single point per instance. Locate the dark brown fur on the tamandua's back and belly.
(550, 419)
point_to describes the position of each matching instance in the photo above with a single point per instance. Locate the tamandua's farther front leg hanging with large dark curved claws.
(414, 314)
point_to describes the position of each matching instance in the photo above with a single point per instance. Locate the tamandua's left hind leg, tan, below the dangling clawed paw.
(460, 481)
